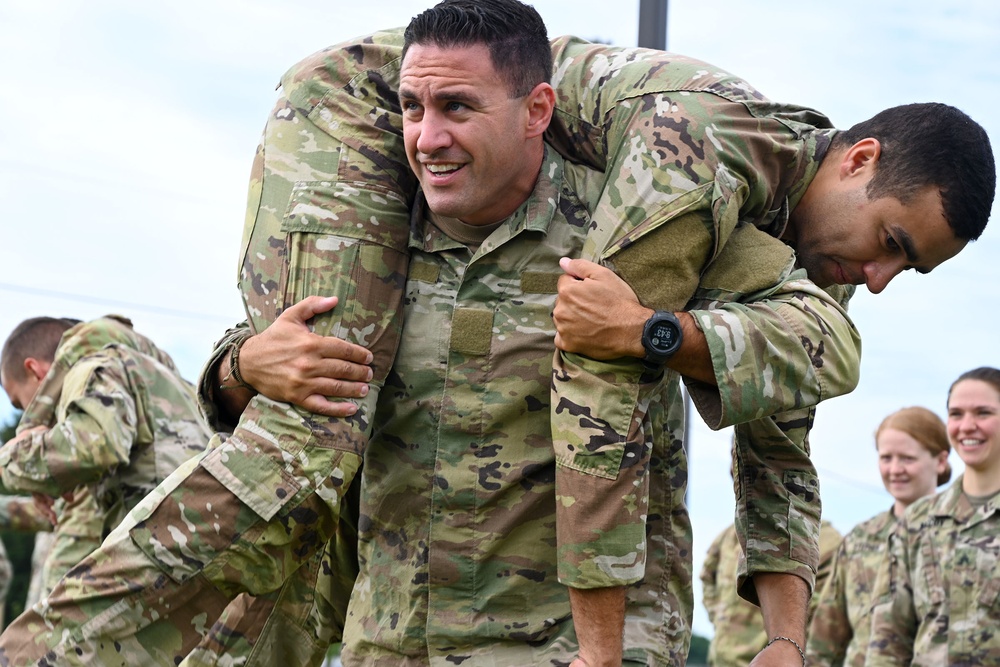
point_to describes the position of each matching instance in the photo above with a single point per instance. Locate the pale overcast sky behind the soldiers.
(127, 131)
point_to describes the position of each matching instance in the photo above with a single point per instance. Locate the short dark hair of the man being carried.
(932, 144)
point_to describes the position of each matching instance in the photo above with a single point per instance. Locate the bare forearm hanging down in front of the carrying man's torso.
(599, 619)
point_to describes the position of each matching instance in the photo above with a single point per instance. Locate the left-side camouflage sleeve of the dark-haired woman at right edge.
(894, 618)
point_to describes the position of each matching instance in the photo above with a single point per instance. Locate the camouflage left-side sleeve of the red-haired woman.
(830, 630)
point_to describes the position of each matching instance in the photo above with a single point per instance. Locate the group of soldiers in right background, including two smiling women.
(915, 581)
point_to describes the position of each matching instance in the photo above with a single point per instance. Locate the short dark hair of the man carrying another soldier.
(513, 32)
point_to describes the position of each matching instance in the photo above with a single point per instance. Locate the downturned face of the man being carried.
(843, 237)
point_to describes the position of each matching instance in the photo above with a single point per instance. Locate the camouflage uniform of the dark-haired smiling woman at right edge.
(938, 601)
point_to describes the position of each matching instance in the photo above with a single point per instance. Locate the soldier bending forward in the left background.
(106, 417)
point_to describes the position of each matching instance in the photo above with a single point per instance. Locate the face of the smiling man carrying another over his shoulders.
(465, 137)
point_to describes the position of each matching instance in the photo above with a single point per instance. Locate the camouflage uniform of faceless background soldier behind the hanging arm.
(739, 626)
